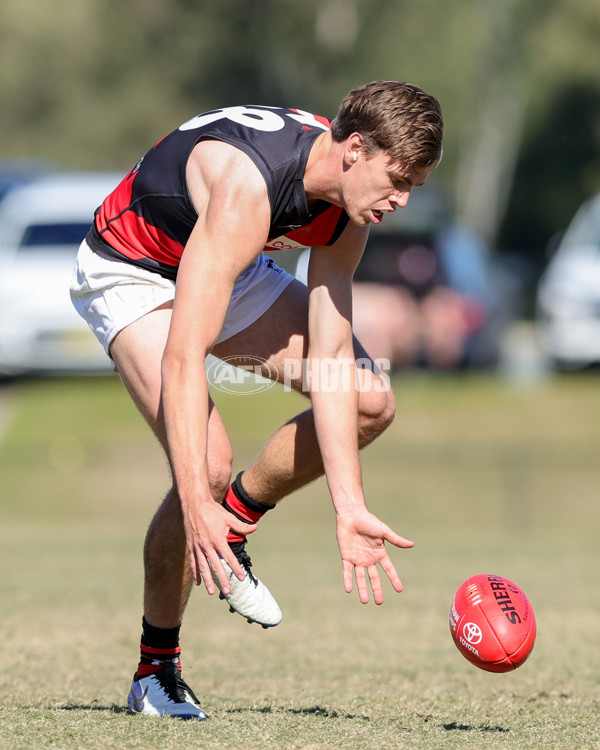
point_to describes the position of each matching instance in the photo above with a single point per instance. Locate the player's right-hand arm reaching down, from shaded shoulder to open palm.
(361, 535)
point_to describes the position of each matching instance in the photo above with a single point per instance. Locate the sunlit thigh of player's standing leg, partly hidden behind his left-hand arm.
(137, 352)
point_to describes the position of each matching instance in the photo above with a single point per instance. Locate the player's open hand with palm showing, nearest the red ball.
(361, 538)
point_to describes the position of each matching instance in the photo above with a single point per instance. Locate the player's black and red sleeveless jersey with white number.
(148, 218)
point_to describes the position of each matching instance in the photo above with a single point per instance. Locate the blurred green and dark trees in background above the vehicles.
(91, 84)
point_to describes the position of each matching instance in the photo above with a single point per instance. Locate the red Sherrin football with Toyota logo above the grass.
(492, 623)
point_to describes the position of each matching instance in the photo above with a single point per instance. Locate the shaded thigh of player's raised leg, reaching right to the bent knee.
(280, 338)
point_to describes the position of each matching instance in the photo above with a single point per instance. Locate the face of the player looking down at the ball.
(376, 185)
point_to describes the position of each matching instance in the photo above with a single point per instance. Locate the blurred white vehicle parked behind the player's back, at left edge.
(41, 227)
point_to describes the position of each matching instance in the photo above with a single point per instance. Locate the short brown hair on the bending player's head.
(398, 118)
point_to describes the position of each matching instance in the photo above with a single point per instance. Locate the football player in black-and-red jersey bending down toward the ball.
(173, 270)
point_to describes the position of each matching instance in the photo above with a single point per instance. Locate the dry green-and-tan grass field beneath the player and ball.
(484, 476)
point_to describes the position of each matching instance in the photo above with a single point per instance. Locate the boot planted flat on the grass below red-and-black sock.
(164, 693)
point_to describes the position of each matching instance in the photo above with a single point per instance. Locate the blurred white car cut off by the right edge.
(568, 298)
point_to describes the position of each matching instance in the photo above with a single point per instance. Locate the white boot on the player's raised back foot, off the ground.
(250, 598)
